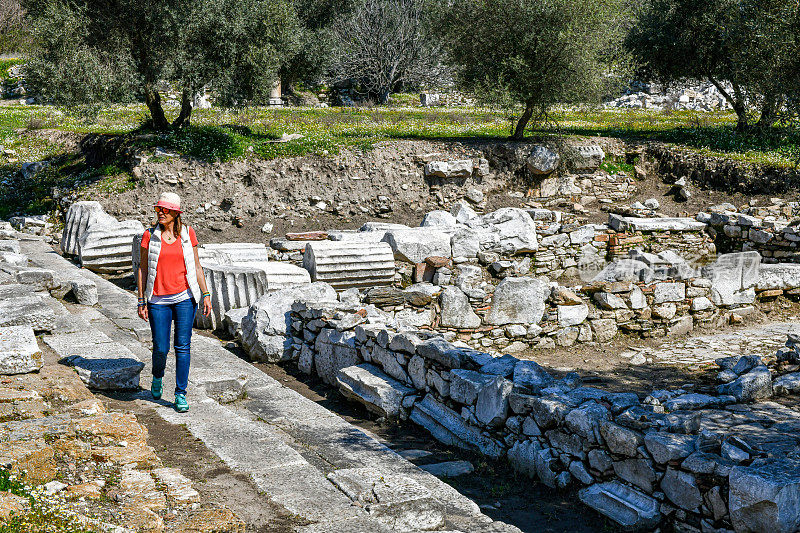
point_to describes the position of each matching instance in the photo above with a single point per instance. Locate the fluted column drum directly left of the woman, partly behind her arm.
(105, 246)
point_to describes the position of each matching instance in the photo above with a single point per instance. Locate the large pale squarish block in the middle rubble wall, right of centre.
(518, 301)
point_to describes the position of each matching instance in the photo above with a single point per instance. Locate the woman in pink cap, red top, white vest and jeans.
(170, 281)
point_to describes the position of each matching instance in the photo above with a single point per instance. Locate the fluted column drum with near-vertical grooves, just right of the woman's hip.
(231, 287)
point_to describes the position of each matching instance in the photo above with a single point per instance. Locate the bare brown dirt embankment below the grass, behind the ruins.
(233, 201)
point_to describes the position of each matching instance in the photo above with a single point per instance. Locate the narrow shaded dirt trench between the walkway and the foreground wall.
(501, 493)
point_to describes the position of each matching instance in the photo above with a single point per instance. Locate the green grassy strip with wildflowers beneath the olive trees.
(219, 134)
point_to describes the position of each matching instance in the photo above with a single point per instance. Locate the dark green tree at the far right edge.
(741, 46)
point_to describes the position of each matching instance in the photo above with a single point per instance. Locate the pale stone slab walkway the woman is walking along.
(303, 457)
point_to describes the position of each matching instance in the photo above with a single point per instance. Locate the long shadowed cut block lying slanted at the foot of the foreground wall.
(449, 427)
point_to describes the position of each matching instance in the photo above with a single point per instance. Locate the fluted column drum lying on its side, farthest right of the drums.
(350, 264)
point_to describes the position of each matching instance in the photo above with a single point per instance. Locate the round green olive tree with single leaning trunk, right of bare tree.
(536, 53)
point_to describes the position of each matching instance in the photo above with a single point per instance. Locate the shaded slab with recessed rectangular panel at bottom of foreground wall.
(632, 509)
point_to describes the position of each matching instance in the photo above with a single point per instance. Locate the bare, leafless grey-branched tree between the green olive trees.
(385, 44)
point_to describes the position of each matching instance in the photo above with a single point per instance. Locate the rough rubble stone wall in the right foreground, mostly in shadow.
(697, 460)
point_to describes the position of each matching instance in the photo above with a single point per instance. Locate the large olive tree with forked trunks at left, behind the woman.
(91, 51)
